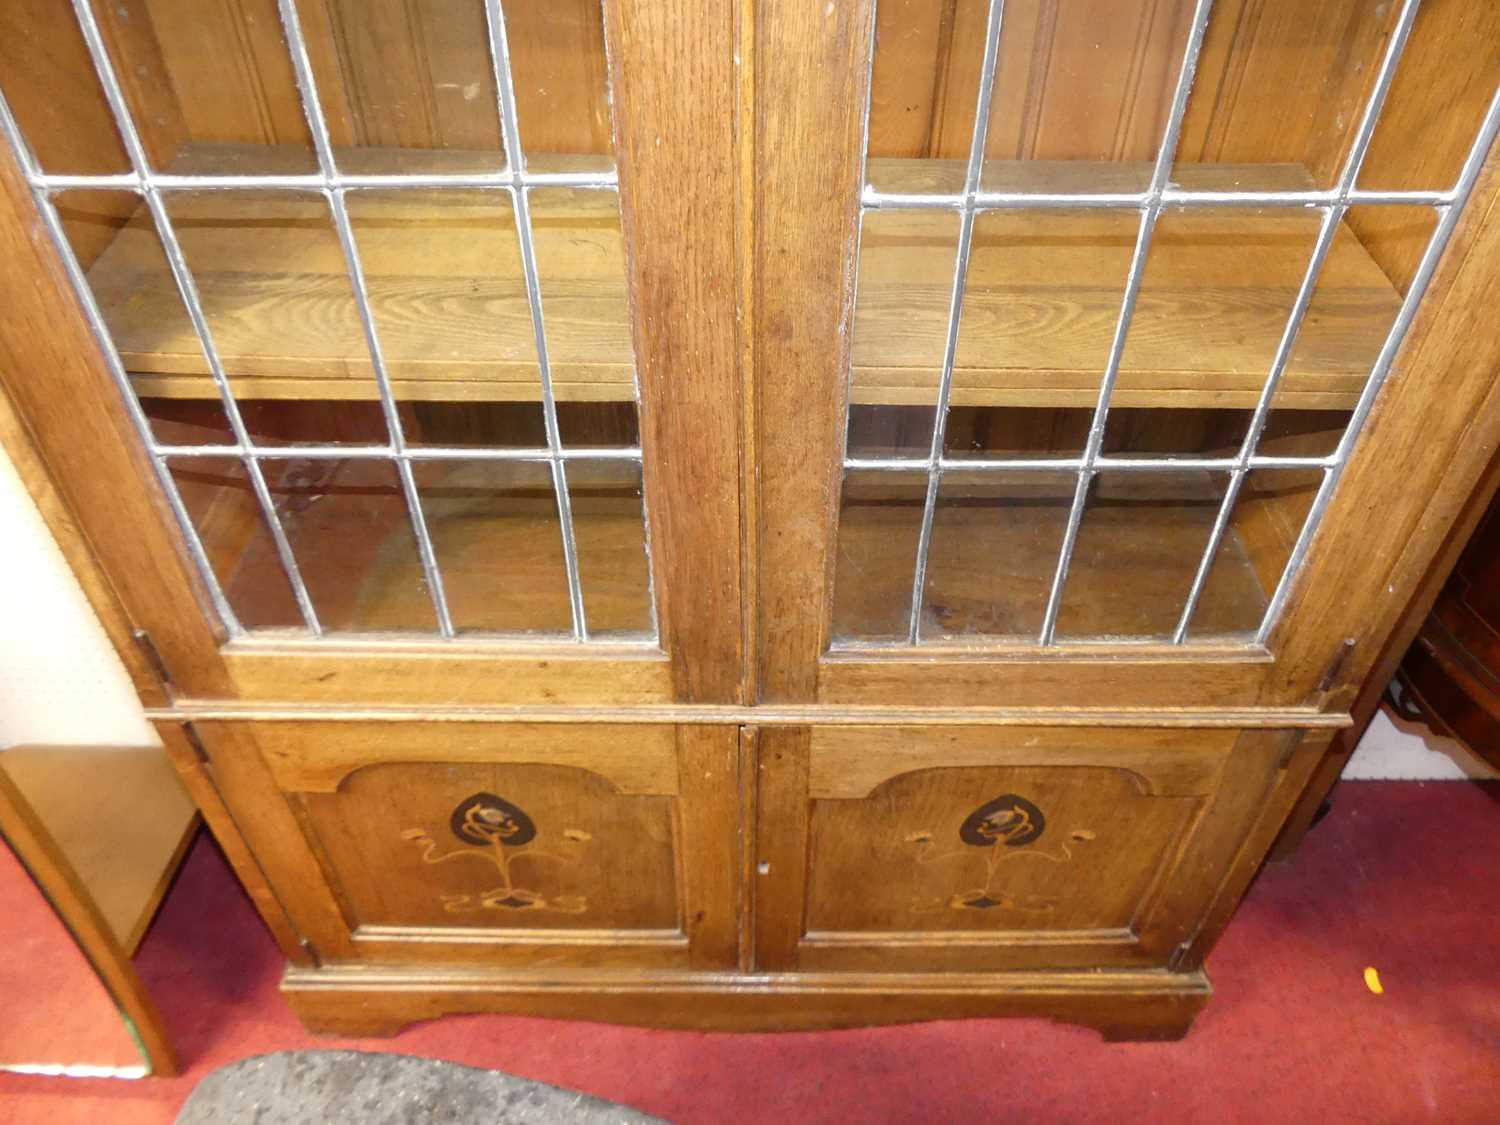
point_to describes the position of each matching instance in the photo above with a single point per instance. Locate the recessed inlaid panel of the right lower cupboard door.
(991, 850)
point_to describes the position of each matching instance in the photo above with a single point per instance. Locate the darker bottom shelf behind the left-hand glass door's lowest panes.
(353, 542)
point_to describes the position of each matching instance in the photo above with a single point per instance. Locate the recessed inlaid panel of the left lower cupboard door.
(497, 847)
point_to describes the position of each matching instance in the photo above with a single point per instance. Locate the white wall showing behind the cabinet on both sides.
(62, 683)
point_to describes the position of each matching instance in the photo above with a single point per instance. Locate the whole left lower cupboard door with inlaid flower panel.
(521, 845)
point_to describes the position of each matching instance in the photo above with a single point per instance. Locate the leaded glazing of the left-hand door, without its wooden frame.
(476, 403)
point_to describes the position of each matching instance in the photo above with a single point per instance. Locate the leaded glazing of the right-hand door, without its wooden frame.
(997, 427)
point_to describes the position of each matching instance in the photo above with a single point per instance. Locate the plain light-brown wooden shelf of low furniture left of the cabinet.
(118, 815)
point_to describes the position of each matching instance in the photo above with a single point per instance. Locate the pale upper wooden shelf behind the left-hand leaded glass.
(445, 280)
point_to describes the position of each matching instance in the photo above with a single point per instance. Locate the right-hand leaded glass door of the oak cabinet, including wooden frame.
(1112, 292)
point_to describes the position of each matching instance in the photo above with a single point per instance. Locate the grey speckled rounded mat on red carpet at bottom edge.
(367, 1088)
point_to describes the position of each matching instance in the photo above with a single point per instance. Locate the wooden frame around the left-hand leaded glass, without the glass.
(674, 77)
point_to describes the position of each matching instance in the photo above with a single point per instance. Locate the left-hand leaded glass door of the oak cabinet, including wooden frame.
(379, 287)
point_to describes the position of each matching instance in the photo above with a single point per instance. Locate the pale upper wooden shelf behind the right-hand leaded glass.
(1045, 292)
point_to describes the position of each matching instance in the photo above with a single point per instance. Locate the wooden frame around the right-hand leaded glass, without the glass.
(1421, 454)
